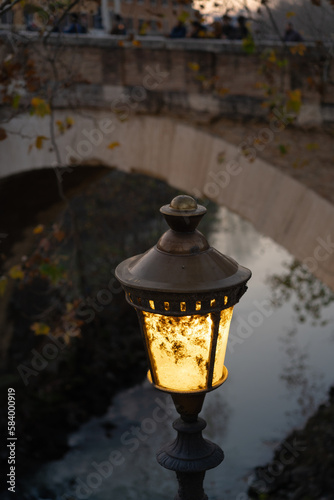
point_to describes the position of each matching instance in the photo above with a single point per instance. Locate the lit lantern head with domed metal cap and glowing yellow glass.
(184, 292)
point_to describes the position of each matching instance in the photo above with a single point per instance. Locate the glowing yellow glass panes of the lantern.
(180, 349)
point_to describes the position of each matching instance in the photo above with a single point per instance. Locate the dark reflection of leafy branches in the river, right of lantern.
(310, 300)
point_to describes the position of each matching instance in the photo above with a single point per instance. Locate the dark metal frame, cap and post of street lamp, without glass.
(183, 276)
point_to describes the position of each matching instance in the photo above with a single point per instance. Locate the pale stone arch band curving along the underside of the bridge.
(193, 160)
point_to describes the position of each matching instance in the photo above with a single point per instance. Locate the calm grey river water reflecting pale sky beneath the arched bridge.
(280, 363)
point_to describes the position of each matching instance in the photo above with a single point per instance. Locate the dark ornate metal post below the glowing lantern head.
(190, 455)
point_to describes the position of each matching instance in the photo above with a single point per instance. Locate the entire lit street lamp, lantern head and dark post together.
(184, 292)
